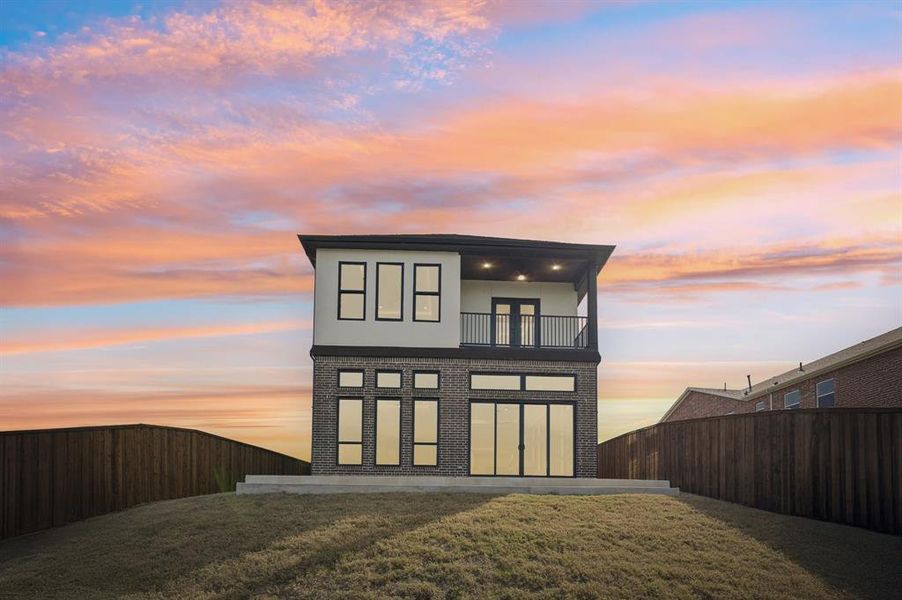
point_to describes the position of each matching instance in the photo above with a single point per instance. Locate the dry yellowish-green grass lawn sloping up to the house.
(450, 546)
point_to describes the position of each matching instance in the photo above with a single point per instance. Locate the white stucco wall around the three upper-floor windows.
(329, 330)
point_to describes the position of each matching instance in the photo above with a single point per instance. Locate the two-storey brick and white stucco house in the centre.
(454, 355)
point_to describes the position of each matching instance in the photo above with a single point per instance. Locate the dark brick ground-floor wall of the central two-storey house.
(454, 398)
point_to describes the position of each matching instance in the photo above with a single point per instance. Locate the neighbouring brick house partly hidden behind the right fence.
(868, 374)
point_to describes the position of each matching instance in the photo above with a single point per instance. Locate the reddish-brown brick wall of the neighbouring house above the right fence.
(874, 382)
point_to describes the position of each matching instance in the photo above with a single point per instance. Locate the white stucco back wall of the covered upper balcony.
(554, 298)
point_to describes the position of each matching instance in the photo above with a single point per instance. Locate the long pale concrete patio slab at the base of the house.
(339, 484)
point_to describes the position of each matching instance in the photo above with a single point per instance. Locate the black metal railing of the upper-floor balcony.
(523, 331)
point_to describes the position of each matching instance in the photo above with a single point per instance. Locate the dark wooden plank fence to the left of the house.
(50, 477)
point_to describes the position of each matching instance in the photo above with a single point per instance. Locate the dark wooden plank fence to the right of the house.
(842, 465)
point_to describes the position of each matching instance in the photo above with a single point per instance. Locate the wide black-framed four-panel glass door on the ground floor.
(521, 439)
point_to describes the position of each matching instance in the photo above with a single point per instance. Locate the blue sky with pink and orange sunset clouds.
(157, 161)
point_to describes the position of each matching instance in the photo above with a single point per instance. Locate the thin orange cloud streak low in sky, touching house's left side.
(84, 339)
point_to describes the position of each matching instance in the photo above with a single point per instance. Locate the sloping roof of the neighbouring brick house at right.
(877, 345)
